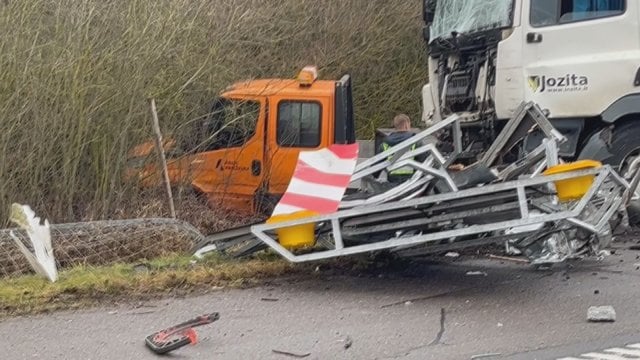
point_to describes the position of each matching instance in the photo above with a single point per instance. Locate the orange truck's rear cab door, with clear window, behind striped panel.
(295, 124)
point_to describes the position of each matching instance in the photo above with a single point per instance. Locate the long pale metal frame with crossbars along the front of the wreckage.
(571, 213)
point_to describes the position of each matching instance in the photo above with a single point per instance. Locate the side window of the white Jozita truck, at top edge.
(554, 12)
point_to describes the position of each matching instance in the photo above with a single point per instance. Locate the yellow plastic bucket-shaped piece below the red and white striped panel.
(295, 237)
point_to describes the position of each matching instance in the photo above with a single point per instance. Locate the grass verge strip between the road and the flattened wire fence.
(85, 286)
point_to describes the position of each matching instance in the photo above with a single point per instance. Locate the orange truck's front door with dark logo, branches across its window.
(229, 163)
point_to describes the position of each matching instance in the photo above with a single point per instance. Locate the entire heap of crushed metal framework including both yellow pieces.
(546, 210)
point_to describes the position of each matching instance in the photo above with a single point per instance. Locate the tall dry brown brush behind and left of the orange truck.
(75, 76)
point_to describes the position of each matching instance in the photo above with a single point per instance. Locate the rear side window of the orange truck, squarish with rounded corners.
(298, 124)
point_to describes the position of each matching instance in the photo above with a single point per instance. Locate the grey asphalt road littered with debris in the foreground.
(432, 311)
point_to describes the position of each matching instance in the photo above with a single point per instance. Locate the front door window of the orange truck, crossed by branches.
(232, 123)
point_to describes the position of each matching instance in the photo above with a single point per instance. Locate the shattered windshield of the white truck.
(465, 16)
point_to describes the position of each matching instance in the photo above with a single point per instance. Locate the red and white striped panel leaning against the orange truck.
(320, 179)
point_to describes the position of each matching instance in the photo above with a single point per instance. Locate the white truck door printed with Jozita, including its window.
(579, 56)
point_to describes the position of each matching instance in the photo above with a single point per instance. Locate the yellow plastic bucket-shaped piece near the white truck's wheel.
(573, 189)
